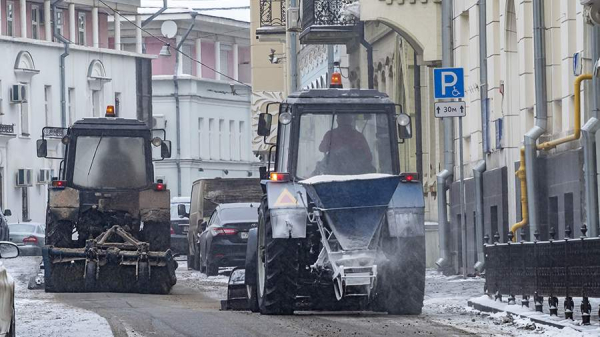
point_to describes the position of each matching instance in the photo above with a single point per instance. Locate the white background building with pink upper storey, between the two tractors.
(205, 90)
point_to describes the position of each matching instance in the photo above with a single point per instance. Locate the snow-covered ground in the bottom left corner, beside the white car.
(39, 314)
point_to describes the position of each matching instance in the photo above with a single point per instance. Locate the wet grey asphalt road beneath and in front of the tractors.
(192, 311)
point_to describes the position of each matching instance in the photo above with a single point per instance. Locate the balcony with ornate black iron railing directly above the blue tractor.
(328, 22)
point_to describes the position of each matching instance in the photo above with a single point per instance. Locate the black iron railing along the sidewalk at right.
(568, 268)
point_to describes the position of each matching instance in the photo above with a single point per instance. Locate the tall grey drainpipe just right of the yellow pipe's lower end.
(541, 122)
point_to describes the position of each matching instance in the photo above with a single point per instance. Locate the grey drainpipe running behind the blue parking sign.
(446, 175)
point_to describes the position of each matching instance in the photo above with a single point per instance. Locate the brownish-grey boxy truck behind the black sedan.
(206, 195)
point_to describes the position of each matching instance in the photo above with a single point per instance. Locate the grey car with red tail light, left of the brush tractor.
(29, 236)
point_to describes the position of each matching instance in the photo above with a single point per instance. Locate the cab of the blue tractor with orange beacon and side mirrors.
(337, 132)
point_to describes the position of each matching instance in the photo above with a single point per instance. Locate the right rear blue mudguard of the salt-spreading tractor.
(406, 212)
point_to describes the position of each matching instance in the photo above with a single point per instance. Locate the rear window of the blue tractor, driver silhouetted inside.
(344, 144)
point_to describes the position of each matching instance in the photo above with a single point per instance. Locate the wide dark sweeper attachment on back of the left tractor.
(113, 262)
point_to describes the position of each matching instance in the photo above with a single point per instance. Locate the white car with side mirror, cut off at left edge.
(8, 250)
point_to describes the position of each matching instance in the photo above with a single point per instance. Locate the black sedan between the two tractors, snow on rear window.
(223, 242)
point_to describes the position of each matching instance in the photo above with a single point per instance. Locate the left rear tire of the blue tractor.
(278, 264)
